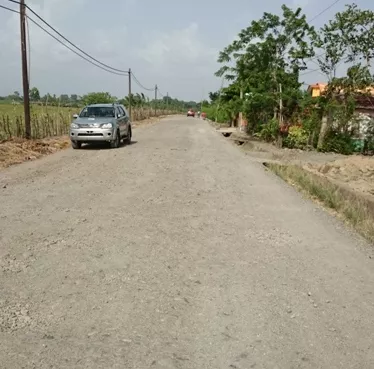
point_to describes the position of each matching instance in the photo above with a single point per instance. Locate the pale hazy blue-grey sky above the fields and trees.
(170, 43)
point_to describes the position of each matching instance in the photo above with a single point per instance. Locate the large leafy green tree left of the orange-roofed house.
(267, 58)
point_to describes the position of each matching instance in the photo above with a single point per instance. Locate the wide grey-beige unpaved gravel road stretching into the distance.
(176, 252)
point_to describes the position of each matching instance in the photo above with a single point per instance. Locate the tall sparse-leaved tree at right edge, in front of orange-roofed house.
(347, 38)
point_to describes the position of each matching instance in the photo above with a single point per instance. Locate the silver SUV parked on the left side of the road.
(101, 123)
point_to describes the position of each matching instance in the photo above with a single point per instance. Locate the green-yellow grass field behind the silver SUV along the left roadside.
(50, 121)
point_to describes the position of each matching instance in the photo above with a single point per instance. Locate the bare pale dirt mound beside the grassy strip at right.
(356, 172)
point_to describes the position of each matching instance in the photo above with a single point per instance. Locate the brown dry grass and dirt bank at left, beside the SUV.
(19, 150)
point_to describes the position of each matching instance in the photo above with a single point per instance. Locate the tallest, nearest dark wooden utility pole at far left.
(25, 76)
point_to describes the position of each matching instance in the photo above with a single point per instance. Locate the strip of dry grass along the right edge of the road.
(356, 209)
